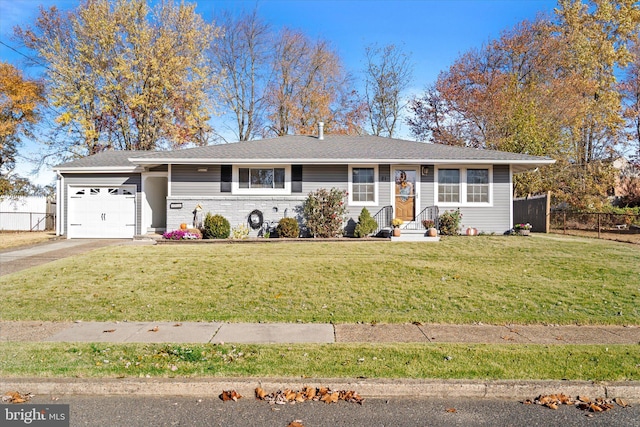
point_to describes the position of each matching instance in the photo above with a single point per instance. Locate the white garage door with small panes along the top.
(101, 212)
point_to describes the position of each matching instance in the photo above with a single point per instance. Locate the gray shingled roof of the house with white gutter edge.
(303, 149)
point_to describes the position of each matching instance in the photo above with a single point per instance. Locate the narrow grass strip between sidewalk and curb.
(492, 362)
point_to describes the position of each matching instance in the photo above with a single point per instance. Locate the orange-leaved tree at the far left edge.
(20, 100)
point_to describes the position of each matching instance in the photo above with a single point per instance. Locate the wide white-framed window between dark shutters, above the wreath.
(261, 180)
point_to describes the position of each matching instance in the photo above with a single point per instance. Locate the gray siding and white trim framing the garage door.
(103, 180)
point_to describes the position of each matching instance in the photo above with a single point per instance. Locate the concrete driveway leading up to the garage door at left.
(26, 257)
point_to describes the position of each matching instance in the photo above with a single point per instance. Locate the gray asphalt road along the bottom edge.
(210, 411)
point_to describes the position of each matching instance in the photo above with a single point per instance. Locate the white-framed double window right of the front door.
(464, 186)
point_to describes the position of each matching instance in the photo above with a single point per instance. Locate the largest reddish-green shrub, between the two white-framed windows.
(324, 211)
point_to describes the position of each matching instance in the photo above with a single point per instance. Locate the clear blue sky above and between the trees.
(434, 32)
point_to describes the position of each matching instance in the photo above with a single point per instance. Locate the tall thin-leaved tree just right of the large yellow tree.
(242, 54)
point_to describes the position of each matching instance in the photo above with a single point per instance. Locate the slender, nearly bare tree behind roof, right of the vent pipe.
(388, 72)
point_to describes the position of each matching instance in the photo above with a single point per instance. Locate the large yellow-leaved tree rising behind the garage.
(124, 75)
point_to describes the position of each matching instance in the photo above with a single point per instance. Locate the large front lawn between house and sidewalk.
(489, 279)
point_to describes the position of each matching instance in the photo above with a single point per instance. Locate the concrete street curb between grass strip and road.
(408, 388)
